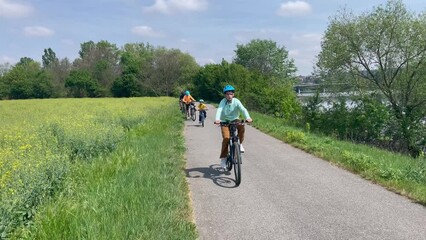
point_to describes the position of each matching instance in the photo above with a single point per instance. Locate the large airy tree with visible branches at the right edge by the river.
(382, 51)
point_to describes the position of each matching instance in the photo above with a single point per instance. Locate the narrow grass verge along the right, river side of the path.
(399, 173)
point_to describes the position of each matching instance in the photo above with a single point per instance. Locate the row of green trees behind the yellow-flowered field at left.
(101, 70)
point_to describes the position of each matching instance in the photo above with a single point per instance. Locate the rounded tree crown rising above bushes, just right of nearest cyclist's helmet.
(266, 57)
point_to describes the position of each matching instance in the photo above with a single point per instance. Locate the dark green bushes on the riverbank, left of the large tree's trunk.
(366, 120)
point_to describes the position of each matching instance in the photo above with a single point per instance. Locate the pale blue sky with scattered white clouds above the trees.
(209, 30)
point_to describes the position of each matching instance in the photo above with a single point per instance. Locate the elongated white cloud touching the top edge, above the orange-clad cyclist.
(171, 6)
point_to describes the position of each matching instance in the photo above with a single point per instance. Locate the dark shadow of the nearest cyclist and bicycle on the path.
(213, 172)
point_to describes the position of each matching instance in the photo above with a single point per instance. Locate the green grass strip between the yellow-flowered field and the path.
(137, 192)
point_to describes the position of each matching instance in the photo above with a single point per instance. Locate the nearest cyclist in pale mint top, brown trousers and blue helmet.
(229, 110)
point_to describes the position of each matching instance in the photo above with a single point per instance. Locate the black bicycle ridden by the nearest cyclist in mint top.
(234, 158)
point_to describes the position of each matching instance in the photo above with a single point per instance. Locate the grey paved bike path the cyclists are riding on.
(286, 193)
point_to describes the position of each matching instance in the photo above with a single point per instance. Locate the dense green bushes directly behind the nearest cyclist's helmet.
(258, 92)
